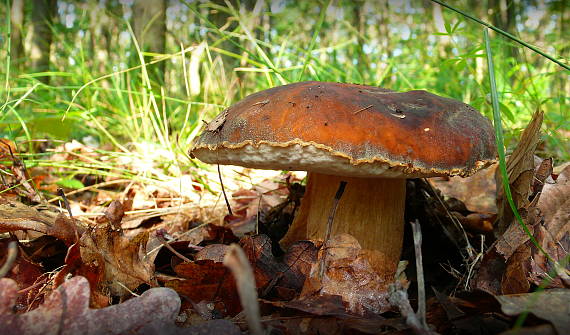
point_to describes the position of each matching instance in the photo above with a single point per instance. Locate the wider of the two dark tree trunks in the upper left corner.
(43, 12)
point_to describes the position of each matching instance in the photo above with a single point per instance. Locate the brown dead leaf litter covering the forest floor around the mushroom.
(158, 252)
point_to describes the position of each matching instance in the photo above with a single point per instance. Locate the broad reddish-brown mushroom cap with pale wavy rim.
(350, 130)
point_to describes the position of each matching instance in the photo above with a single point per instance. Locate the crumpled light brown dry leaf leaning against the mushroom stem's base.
(349, 275)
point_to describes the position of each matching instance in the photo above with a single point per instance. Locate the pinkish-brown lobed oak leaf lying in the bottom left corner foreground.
(66, 311)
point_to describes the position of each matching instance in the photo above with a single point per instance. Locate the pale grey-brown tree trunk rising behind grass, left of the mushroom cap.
(149, 25)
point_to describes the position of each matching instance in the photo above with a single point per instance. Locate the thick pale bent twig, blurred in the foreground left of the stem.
(236, 260)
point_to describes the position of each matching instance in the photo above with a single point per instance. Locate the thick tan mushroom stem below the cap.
(371, 210)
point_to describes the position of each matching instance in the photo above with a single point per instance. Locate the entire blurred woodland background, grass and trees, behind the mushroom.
(135, 77)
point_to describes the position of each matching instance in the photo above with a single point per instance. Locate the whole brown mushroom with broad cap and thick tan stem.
(371, 137)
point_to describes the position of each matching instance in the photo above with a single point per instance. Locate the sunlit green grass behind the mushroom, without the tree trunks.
(209, 67)
